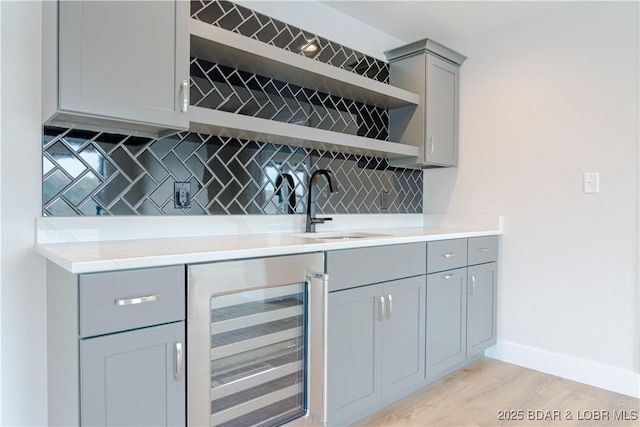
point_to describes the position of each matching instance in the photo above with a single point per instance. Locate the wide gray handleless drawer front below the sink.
(356, 267)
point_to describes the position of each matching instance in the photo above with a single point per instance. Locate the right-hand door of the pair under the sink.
(403, 337)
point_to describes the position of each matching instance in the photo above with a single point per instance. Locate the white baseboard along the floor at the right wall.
(607, 377)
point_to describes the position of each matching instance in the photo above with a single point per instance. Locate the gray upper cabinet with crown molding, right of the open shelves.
(433, 71)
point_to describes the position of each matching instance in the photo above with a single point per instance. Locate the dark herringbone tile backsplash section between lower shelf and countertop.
(94, 173)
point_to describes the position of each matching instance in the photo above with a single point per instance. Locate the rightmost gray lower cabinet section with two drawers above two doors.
(461, 302)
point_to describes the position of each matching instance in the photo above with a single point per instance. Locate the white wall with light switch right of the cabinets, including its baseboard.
(543, 102)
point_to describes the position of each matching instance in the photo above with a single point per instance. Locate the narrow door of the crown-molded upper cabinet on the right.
(442, 99)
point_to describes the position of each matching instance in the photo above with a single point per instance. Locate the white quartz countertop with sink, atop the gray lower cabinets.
(97, 256)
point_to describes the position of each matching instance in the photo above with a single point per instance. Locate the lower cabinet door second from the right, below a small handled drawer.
(446, 320)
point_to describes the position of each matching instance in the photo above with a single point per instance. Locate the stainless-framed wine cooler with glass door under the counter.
(248, 342)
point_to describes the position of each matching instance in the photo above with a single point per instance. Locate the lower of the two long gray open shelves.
(204, 120)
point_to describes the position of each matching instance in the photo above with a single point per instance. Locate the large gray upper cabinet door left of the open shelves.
(124, 60)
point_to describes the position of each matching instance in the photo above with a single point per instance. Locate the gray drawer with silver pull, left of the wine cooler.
(122, 300)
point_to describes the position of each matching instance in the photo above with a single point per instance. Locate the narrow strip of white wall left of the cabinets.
(22, 311)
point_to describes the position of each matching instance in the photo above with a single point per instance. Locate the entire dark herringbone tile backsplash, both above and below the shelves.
(98, 173)
